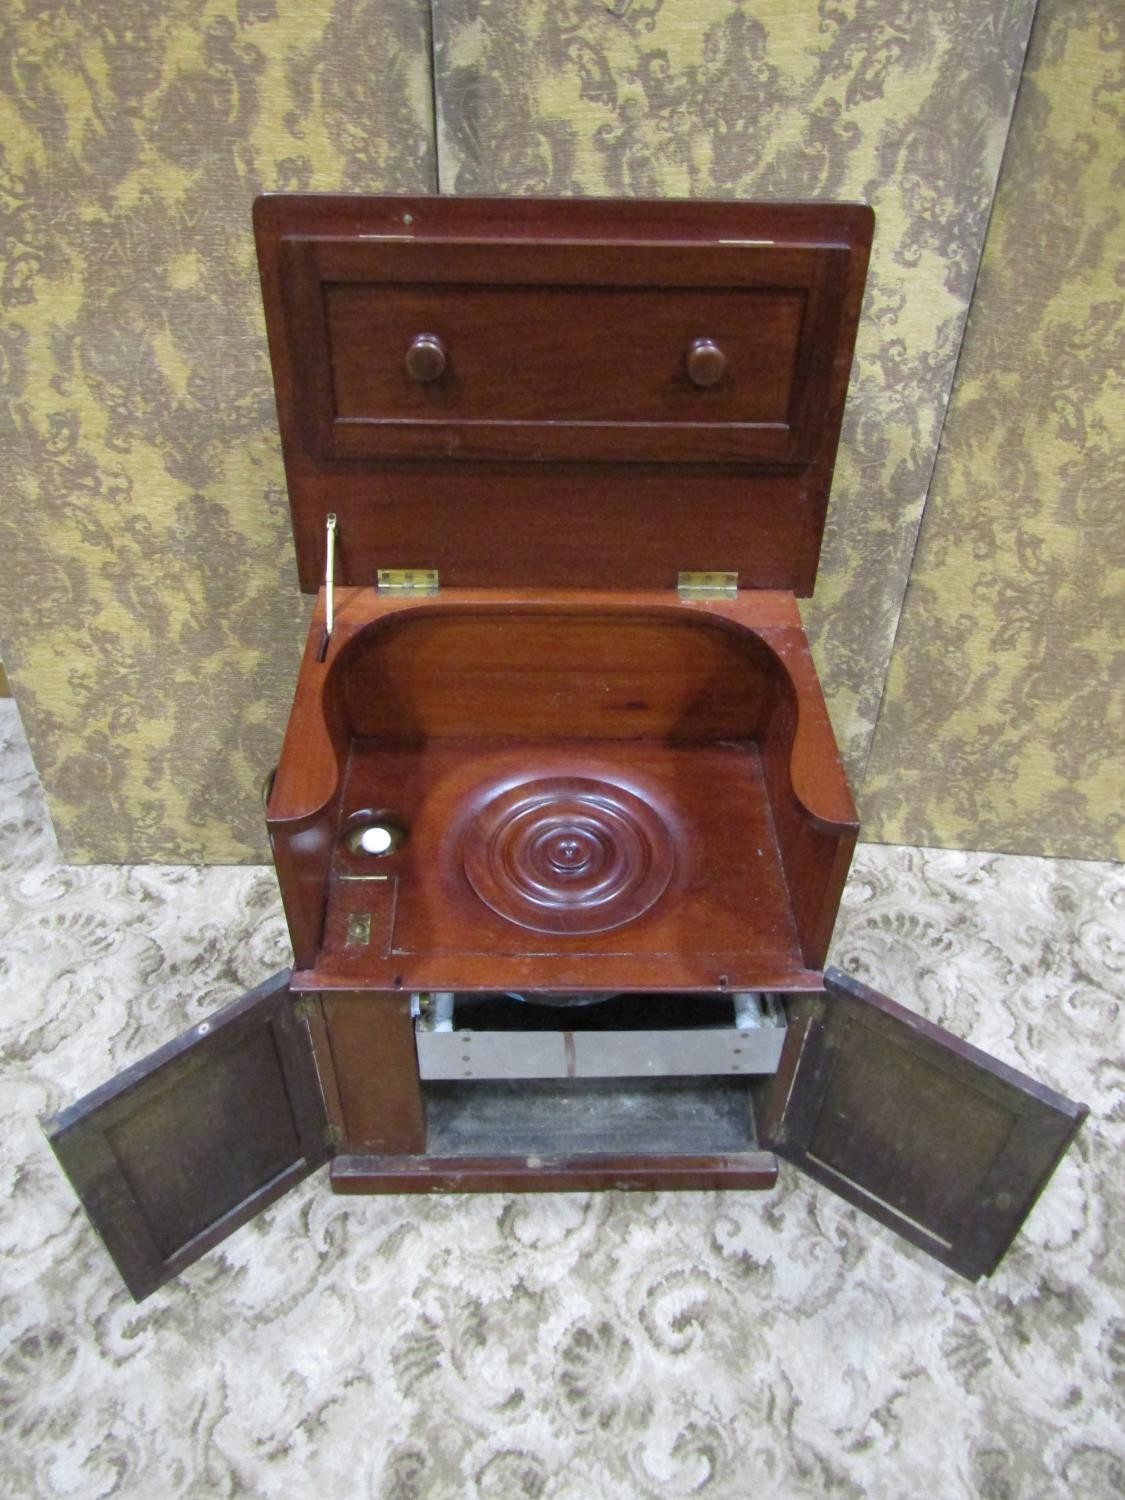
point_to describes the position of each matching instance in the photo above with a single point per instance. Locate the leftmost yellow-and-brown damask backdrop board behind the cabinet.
(149, 614)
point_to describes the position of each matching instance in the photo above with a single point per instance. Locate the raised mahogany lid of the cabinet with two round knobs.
(562, 392)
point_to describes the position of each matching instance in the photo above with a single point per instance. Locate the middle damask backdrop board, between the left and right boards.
(887, 101)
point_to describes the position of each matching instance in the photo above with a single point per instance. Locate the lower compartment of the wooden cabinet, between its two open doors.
(511, 1094)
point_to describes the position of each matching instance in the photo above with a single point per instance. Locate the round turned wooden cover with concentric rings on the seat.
(569, 856)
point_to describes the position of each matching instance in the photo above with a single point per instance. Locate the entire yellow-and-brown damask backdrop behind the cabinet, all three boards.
(151, 619)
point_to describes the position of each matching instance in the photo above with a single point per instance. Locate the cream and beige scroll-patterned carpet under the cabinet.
(575, 1346)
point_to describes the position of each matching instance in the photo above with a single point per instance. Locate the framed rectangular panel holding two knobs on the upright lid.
(562, 352)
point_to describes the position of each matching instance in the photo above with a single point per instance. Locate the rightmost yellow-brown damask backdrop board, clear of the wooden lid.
(1006, 707)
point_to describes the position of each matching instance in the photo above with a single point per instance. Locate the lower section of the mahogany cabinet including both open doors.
(914, 1127)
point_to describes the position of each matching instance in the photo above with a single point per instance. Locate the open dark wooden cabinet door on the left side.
(181, 1150)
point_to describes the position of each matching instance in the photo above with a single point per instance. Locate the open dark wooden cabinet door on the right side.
(913, 1126)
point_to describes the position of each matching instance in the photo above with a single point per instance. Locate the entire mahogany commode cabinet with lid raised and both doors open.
(560, 821)
